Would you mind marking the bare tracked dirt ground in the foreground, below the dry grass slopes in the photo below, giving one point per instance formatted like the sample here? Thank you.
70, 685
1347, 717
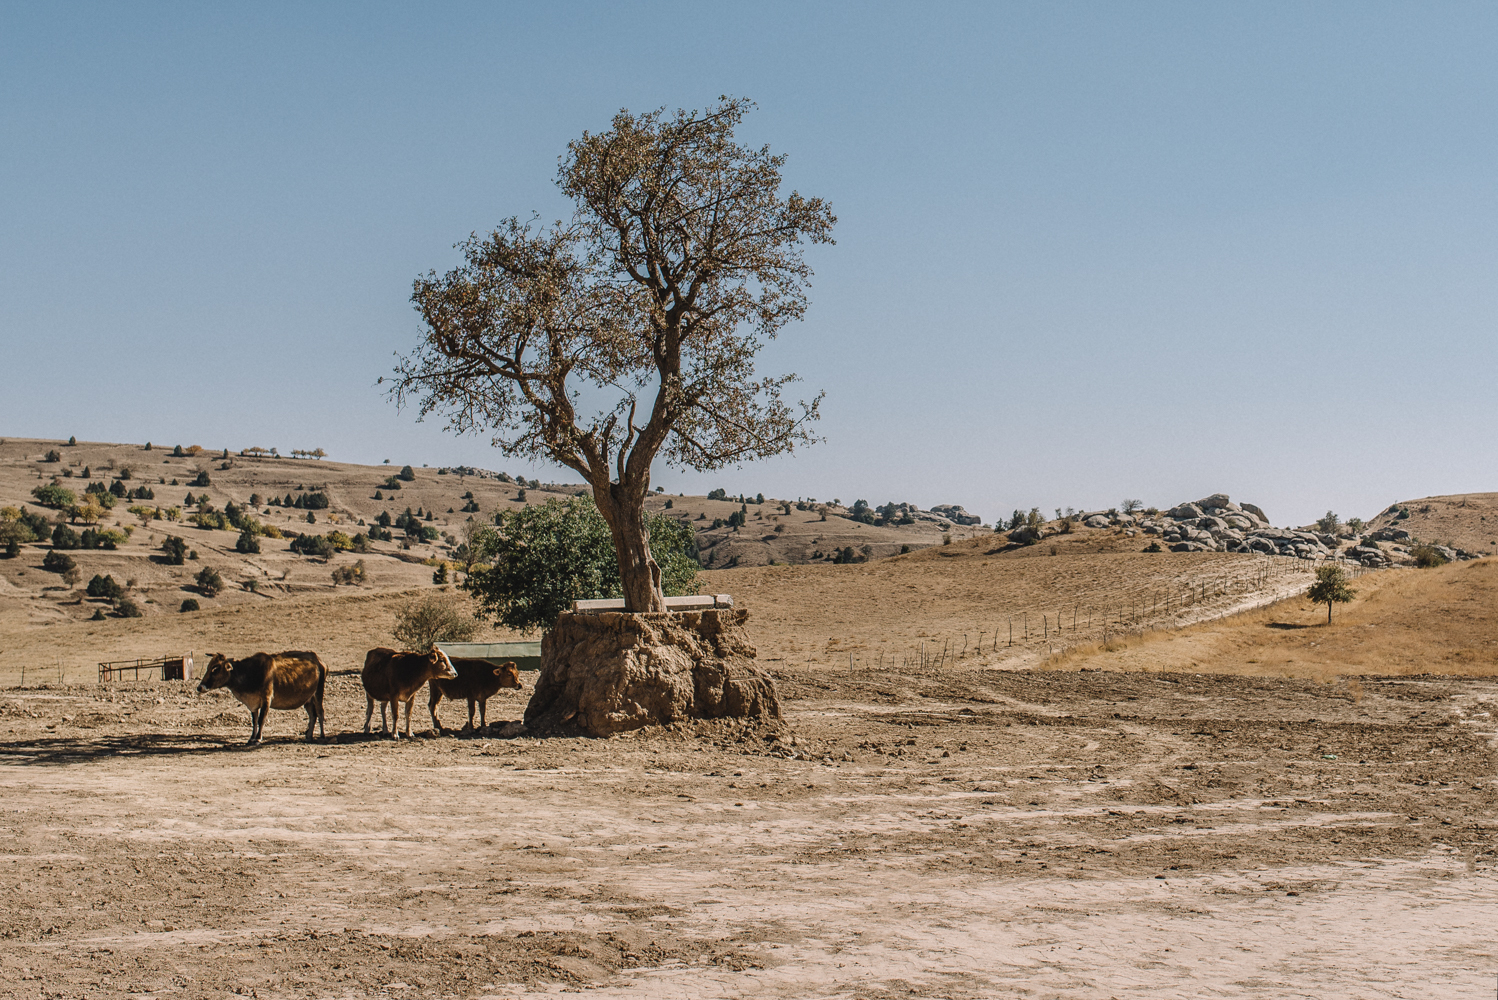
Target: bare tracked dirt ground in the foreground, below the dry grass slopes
973, 833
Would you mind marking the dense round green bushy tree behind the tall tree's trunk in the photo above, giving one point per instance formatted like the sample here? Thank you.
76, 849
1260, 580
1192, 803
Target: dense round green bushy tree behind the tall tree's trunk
545, 558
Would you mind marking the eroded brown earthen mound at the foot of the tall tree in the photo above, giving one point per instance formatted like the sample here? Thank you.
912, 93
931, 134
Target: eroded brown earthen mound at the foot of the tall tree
615, 673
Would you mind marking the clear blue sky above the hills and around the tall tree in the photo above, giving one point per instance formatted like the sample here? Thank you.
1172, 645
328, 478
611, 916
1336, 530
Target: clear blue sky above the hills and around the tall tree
1087, 252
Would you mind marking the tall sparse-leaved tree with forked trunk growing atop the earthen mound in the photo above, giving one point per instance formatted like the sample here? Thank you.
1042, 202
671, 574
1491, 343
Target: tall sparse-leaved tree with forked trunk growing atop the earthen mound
631, 330
